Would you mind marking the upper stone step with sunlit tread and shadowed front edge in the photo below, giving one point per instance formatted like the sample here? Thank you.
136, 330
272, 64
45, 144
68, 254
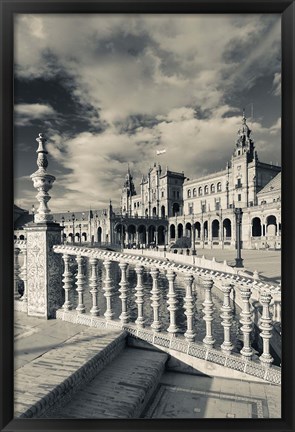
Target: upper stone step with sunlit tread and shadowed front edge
57, 374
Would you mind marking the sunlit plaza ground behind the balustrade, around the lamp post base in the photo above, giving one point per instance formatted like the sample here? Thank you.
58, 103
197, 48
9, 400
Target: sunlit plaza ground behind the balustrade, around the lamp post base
266, 262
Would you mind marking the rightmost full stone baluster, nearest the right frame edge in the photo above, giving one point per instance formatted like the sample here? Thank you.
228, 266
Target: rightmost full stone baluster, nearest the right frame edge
266, 327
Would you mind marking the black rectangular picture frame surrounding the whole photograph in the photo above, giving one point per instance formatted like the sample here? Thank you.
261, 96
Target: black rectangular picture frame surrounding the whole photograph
8, 9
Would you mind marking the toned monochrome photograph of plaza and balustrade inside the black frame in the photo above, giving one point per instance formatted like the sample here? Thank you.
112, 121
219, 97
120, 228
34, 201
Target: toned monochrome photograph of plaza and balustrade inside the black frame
147, 216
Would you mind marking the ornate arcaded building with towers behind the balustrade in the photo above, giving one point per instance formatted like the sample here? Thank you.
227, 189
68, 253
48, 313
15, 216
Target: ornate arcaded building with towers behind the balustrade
199, 213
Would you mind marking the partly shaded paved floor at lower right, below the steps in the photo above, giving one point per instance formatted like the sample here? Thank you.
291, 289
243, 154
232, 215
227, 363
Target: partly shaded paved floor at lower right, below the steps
191, 396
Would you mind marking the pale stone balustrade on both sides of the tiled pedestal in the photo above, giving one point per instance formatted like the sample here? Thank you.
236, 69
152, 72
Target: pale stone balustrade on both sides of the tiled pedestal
153, 329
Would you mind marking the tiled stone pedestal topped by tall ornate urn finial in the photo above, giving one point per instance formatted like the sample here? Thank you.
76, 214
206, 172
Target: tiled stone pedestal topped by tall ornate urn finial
44, 267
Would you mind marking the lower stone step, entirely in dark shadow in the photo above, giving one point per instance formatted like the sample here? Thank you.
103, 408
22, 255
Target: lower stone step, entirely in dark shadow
121, 390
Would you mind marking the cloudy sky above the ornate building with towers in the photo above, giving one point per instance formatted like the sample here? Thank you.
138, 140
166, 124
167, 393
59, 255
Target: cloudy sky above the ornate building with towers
108, 90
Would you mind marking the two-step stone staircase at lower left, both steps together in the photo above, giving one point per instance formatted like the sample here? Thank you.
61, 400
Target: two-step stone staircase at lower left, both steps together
90, 375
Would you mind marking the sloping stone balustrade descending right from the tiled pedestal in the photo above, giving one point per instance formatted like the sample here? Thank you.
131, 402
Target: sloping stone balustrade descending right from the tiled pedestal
155, 333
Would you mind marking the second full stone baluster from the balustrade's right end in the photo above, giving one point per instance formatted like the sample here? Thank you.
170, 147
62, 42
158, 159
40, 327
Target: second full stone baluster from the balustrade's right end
246, 321
